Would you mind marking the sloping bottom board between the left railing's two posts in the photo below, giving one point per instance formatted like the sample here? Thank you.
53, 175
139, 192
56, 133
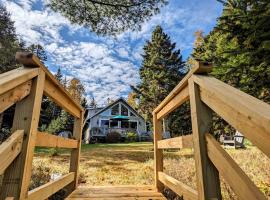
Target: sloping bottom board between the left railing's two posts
48, 189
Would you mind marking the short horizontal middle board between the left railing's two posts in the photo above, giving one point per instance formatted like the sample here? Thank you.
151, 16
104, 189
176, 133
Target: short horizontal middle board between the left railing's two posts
49, 140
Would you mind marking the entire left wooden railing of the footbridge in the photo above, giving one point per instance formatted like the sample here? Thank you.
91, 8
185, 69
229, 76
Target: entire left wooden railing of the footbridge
25, 87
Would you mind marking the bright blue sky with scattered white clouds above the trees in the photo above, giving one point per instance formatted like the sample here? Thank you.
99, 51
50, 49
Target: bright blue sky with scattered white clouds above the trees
107, 65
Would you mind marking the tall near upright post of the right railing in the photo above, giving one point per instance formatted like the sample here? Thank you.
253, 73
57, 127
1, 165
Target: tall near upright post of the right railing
208, 182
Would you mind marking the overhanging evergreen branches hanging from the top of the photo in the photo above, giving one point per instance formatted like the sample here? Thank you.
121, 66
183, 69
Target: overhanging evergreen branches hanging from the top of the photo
108, 16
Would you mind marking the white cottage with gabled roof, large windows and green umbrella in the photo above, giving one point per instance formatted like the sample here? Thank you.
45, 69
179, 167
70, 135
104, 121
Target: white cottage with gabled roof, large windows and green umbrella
119, 116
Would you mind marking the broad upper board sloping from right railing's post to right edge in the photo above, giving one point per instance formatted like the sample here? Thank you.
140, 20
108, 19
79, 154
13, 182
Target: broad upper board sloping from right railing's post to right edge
247, 114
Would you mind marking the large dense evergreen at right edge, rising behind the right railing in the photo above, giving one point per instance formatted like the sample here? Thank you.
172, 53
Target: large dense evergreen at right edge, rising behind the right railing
239, 46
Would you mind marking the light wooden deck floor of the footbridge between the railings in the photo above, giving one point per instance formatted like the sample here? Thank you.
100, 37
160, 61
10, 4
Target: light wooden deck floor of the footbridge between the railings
117, 192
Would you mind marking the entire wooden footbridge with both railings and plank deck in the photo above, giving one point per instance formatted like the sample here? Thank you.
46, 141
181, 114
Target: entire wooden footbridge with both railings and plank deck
26, 86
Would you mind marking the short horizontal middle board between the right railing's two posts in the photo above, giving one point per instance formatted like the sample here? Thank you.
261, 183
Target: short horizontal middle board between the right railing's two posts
180, 142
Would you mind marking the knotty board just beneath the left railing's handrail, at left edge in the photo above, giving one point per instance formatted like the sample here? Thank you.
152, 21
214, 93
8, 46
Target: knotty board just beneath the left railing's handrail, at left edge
14, 95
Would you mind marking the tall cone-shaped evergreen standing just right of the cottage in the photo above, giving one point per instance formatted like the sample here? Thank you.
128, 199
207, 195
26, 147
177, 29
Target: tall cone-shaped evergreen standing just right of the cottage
161, 71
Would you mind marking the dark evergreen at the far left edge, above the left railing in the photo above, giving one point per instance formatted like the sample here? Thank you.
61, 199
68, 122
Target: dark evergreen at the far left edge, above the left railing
9, 43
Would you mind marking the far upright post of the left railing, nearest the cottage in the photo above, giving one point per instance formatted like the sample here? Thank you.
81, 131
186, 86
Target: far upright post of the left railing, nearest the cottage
75, 153
